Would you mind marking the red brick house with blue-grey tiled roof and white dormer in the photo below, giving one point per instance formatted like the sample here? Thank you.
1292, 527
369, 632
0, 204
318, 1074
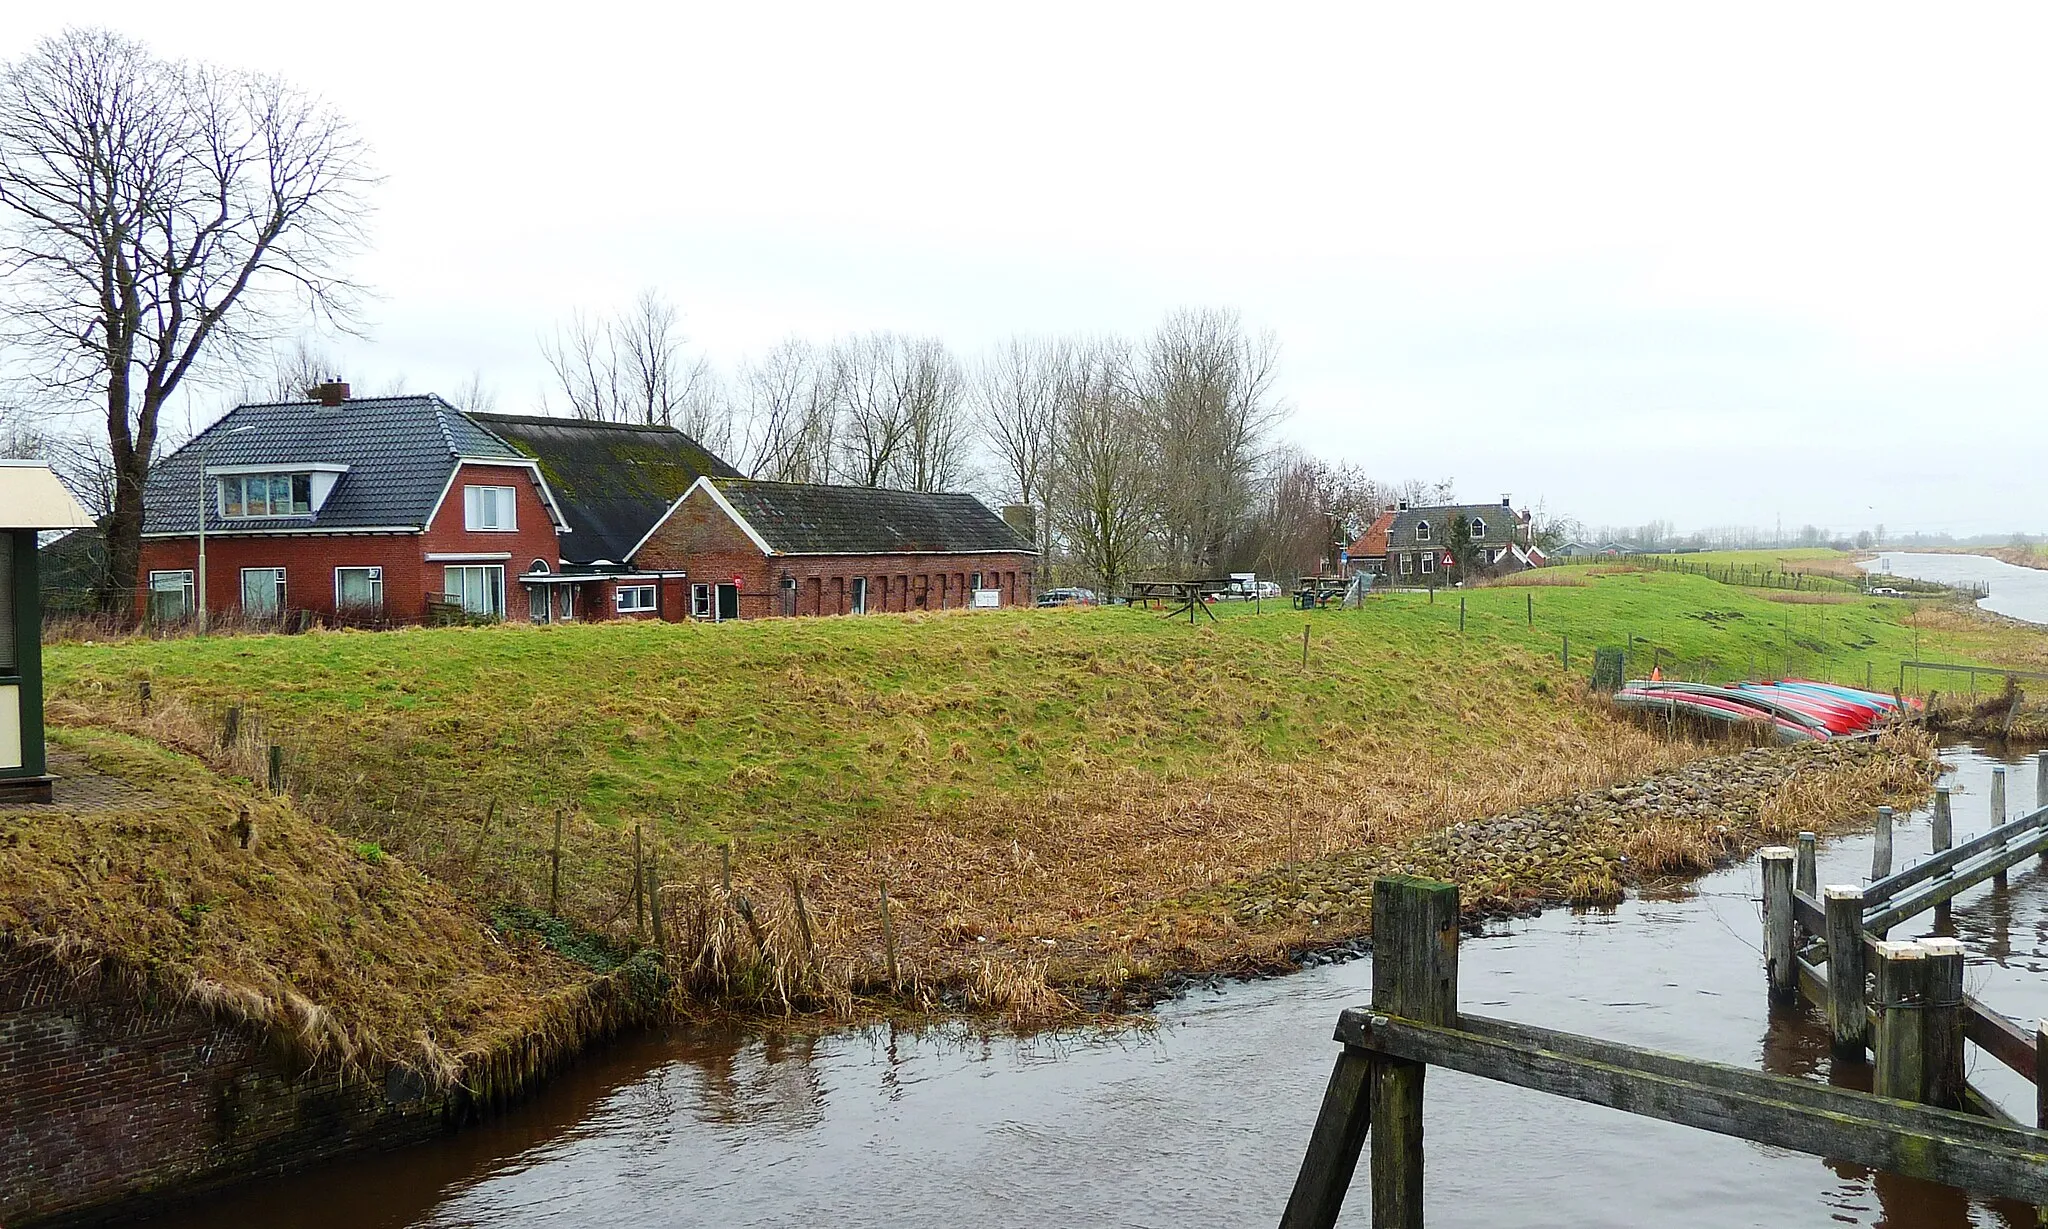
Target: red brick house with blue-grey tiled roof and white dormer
357, 509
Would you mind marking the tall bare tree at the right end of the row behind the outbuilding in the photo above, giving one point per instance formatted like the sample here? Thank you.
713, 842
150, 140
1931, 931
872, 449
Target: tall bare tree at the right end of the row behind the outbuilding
1209, 398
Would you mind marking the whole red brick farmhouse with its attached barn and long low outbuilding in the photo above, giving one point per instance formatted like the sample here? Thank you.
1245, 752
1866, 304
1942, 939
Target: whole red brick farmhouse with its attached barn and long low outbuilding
407, 509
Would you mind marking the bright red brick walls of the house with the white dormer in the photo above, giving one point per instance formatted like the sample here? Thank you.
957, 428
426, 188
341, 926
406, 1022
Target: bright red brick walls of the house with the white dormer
409, 577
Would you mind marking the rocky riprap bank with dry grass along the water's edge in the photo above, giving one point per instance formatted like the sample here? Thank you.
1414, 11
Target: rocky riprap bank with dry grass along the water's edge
1588, 847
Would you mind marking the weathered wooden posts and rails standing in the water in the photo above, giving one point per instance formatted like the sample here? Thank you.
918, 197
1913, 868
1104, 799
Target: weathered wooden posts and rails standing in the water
1920, 1025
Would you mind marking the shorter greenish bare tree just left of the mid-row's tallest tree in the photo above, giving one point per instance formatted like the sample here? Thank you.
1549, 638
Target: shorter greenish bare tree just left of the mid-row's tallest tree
1105, 480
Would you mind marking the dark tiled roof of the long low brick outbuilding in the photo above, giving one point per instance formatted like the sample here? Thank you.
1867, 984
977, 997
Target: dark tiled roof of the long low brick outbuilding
804, 519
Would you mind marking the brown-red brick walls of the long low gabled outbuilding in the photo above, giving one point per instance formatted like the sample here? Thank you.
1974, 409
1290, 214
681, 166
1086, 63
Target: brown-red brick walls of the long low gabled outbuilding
703, 542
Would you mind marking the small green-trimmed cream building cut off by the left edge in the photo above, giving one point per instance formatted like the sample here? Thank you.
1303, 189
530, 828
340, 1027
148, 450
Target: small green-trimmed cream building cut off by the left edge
32, 503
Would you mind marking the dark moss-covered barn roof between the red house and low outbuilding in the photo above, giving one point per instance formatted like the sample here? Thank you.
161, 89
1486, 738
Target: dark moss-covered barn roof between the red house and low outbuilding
613, 480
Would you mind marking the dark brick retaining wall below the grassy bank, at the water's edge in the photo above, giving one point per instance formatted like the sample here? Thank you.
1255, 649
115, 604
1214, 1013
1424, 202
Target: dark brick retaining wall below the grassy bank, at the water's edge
108, 1105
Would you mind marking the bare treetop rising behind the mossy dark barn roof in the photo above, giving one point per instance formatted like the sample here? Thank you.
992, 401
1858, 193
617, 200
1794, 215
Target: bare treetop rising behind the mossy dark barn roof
632, 368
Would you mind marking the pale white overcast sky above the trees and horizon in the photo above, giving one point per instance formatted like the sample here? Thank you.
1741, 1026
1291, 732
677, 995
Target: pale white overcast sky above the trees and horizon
1723, 269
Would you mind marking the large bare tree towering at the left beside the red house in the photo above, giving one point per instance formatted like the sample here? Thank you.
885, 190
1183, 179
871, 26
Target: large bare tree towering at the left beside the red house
159, 214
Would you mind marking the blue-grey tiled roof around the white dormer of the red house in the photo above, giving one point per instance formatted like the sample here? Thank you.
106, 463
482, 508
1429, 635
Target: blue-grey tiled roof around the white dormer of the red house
398, 454
